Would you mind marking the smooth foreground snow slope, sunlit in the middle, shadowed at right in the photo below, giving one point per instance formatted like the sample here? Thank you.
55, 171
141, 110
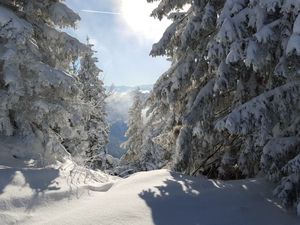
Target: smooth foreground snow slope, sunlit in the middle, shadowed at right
161, 198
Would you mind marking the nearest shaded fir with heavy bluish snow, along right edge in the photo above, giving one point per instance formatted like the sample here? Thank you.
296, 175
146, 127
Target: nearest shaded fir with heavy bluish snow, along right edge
259, 42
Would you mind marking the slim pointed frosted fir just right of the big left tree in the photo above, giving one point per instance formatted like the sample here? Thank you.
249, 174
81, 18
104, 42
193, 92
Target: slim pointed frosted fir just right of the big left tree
94, 98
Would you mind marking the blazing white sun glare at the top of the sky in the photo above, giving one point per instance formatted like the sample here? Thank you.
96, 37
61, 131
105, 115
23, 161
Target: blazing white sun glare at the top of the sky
136, 16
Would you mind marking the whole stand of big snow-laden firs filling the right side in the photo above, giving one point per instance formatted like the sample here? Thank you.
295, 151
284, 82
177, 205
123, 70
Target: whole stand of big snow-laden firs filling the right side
229, 105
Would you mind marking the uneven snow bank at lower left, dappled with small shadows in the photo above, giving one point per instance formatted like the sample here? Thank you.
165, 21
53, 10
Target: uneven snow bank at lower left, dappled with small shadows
25, 189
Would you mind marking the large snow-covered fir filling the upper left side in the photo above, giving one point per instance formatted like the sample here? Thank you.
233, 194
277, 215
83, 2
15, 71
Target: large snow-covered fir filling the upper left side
43, 113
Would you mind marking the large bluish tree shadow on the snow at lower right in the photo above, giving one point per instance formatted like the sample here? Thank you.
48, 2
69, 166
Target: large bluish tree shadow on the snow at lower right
184, 200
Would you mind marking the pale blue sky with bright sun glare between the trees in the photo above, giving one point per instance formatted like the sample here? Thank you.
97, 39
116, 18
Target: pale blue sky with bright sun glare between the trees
122, 40
